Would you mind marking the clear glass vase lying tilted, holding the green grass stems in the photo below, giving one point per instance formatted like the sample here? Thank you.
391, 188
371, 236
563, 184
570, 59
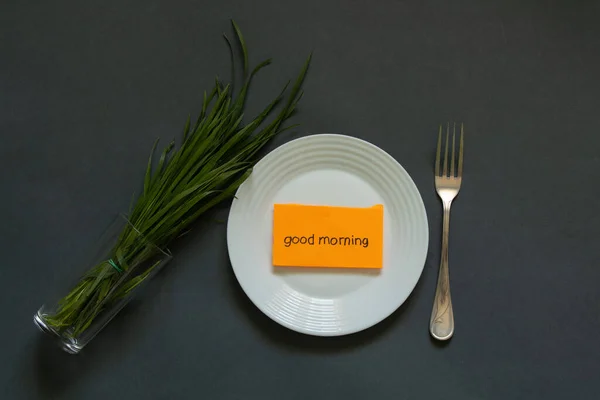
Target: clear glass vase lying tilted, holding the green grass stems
122, 262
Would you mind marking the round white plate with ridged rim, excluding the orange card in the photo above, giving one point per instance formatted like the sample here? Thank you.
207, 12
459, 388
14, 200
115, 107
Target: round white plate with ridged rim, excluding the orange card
328, 170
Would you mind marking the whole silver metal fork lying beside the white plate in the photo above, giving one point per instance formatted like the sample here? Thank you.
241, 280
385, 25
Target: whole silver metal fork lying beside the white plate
447, 185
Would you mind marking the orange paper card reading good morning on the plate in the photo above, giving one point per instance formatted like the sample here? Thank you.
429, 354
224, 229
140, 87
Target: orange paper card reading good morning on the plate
326, 236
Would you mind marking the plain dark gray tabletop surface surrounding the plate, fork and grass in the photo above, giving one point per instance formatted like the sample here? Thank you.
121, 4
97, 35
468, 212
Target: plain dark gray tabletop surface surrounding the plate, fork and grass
87, 86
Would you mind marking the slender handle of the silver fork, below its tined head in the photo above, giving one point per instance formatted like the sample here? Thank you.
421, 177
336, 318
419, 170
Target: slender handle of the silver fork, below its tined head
441, 325
